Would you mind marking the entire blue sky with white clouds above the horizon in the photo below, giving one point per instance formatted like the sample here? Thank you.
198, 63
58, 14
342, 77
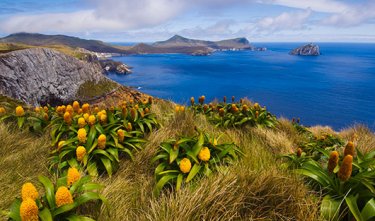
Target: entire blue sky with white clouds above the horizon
151, 20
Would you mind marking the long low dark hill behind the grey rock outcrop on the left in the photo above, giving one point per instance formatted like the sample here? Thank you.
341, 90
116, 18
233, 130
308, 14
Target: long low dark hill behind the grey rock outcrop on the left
74, 42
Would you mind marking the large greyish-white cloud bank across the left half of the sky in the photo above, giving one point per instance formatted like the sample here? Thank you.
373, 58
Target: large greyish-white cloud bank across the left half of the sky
109, 15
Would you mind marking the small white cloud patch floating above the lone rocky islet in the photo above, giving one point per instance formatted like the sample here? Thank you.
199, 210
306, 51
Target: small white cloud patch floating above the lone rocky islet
284, 21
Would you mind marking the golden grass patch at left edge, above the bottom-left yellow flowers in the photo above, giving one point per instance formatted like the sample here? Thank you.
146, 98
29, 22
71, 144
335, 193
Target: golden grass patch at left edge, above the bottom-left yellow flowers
23, 157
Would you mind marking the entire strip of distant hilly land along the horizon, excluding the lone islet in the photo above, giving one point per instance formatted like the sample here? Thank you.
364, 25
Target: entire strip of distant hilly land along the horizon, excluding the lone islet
176, 44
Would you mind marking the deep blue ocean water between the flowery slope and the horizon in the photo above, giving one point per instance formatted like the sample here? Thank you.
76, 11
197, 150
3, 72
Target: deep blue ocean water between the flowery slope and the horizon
336, 88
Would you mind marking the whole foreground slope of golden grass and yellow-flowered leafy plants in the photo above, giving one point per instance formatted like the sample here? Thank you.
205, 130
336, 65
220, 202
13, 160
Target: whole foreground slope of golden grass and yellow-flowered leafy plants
154, 160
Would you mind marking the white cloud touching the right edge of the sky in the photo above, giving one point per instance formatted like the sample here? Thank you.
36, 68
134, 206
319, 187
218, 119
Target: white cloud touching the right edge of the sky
352, 17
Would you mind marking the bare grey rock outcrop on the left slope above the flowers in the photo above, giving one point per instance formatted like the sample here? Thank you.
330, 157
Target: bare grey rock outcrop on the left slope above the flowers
40, 75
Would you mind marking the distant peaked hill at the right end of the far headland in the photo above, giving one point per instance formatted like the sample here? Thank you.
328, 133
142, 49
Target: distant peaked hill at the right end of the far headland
179, 41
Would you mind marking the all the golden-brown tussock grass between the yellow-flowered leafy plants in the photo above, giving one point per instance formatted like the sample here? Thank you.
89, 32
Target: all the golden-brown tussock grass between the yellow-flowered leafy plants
254, 188
